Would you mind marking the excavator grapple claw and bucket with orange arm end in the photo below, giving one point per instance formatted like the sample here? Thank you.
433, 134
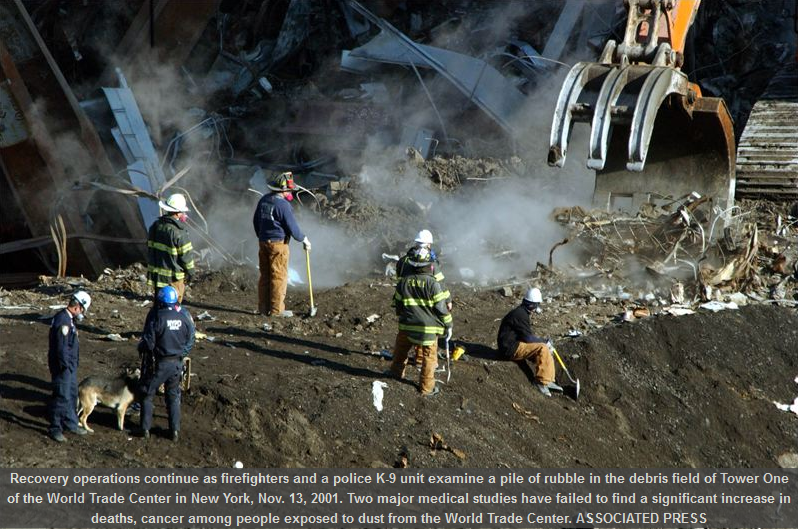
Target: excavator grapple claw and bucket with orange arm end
652, 135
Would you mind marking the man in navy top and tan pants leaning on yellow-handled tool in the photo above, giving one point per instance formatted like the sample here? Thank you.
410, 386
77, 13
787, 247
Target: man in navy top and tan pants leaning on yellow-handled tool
274, 225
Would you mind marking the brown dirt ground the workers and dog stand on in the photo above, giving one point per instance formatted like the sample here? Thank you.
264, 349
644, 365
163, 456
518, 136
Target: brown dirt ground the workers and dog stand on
694, 390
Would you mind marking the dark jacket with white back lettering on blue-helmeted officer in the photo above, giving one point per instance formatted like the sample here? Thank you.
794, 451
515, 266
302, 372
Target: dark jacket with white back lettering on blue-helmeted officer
168, 332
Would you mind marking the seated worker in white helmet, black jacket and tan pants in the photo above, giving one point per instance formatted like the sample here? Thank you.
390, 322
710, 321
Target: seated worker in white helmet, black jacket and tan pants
518, 343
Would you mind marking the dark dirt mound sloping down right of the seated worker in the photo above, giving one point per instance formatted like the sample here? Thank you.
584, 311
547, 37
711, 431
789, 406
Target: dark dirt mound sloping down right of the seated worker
700, 387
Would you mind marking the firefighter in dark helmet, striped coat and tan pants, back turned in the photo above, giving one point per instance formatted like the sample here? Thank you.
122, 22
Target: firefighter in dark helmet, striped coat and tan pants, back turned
420, 304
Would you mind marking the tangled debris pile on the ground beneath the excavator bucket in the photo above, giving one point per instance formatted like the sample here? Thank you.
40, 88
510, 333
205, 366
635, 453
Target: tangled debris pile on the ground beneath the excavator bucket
686, 256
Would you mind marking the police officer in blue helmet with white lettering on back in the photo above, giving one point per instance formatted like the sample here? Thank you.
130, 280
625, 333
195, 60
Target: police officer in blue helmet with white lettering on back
167, 338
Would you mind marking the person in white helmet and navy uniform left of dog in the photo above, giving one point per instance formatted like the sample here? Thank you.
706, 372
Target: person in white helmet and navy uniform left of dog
62, 359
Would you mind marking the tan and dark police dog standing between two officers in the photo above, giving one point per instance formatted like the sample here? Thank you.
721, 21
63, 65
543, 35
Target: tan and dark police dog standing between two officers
117, 393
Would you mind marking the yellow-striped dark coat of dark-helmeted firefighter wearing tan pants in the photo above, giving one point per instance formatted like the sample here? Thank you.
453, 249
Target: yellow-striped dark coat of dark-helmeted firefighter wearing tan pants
420, 304
